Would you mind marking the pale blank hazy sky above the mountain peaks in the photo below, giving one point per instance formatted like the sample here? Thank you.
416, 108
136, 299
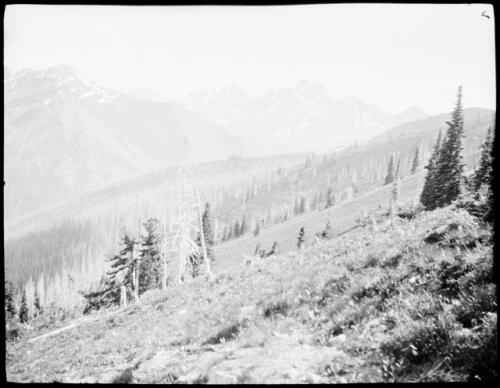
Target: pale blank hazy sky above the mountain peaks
393, 56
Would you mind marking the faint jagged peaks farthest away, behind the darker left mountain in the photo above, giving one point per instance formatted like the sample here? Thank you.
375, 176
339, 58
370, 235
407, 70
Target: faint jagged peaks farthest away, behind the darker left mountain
301, 118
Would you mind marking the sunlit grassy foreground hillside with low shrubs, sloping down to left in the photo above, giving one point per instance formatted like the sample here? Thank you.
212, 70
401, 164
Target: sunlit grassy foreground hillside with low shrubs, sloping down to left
365, 306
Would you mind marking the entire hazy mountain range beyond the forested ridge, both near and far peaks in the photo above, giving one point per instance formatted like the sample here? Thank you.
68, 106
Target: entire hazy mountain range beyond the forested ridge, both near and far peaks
66, 136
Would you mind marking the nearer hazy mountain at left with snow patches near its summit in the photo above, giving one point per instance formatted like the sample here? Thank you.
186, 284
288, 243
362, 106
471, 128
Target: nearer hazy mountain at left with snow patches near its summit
65, 136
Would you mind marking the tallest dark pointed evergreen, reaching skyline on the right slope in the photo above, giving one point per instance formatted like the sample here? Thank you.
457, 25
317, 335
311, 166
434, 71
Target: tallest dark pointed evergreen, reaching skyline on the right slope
450, 165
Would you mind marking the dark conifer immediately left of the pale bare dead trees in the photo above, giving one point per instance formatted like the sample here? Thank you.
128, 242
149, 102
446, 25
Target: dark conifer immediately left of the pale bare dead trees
150, 263
